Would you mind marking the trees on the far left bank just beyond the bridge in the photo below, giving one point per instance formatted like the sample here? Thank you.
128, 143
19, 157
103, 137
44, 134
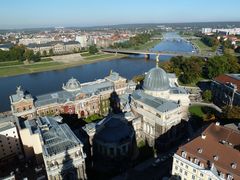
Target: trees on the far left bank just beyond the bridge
134, 41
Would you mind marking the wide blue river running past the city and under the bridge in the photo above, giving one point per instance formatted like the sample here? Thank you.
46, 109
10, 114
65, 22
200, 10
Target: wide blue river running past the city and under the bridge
50, 81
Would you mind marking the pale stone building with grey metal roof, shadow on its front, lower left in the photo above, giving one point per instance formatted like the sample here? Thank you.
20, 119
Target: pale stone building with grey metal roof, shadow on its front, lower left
55, 145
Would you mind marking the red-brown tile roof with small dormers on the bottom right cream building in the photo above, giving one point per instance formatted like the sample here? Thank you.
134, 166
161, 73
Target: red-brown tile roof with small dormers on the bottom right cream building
220, 142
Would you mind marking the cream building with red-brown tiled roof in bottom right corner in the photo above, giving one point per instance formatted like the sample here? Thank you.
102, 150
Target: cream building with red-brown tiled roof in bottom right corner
213, 155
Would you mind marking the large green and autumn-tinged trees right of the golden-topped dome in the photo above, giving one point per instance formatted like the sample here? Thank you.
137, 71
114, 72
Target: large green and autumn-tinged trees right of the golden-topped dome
190, 70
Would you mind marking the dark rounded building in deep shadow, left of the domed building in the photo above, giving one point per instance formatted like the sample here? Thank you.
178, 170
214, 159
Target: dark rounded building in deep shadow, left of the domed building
112, 143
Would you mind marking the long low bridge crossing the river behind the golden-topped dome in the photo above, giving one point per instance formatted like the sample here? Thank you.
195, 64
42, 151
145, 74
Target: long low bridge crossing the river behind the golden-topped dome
148, 53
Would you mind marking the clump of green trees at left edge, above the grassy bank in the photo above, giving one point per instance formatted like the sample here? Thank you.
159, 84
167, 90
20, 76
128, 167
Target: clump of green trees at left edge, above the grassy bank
20, 53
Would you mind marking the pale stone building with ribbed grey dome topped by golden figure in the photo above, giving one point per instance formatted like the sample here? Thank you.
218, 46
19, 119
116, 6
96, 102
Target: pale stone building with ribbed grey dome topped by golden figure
161, 105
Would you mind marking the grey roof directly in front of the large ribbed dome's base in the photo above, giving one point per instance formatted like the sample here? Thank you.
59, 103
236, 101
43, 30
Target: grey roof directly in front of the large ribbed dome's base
162, 105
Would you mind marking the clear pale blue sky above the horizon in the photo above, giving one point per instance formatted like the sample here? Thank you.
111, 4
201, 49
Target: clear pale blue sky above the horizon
51, 13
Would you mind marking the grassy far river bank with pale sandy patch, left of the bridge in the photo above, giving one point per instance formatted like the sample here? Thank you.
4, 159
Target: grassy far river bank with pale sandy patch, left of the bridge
63, 62
